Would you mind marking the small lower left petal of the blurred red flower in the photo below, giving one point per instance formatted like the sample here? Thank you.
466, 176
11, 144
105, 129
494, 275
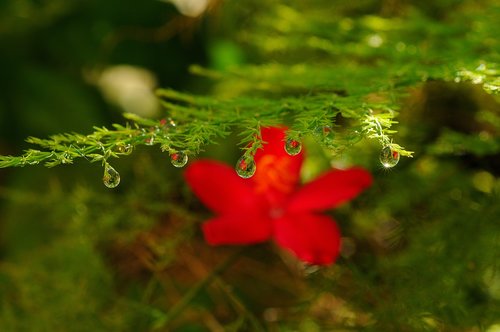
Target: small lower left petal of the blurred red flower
237, 229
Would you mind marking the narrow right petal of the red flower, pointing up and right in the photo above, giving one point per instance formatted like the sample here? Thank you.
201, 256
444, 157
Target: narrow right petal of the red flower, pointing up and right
330, 189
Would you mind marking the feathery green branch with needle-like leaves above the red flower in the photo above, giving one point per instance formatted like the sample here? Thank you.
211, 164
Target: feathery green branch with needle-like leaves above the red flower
365, 65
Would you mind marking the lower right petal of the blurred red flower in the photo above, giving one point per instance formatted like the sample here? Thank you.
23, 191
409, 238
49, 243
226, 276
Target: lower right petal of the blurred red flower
315, 239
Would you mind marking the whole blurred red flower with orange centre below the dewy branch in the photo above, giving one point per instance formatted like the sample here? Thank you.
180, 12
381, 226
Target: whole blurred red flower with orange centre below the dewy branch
271, 205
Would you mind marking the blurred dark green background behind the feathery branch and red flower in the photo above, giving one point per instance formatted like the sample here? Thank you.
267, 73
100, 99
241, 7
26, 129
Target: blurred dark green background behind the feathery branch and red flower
422, 245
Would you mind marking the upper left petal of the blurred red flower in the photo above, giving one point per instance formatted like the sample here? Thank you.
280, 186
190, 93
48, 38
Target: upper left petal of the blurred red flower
220, 188
